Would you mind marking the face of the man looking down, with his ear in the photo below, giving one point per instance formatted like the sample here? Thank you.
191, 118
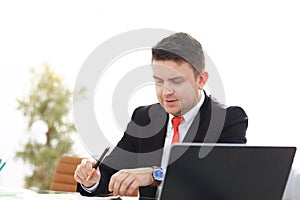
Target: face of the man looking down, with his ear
177, 88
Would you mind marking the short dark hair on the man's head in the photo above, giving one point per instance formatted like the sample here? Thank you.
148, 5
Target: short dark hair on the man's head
180, 47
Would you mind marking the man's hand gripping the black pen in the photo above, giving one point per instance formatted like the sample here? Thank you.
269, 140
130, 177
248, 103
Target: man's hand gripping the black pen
84, 169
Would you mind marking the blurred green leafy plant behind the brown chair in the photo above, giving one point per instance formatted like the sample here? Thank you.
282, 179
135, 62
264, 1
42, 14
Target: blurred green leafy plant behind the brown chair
48, 101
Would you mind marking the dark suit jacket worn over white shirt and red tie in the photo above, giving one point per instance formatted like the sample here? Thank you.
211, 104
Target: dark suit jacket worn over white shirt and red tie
143, 141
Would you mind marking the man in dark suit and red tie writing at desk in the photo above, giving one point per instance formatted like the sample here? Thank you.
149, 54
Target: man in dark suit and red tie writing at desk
185, 113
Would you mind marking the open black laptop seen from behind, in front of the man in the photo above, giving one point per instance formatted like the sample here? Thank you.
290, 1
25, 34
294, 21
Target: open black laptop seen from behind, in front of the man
227, 172
